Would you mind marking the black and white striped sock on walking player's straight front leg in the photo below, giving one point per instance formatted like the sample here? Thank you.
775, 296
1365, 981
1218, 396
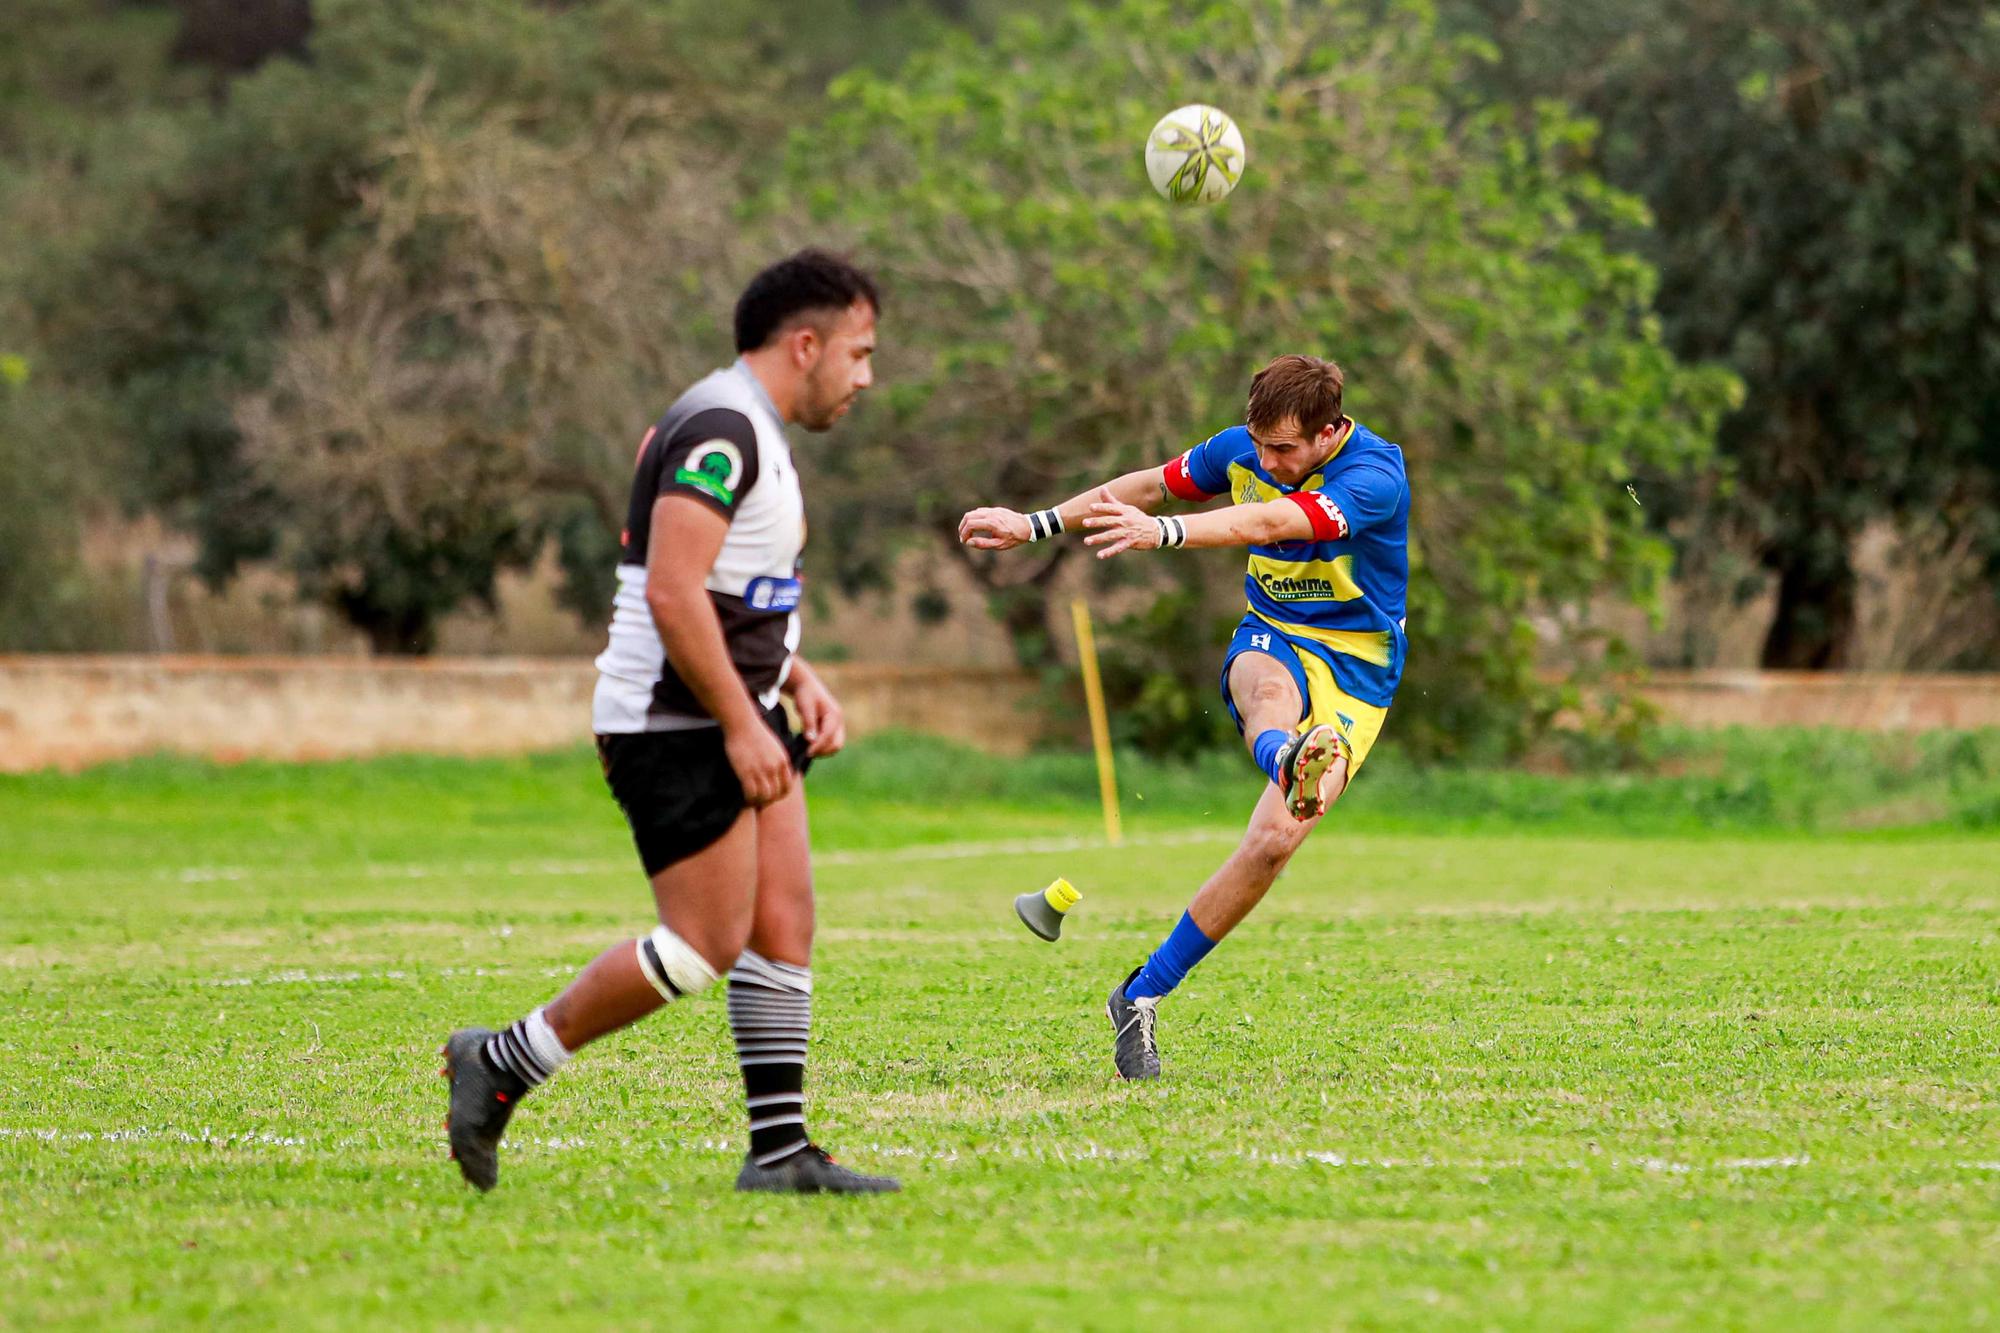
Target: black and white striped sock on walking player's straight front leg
771, 1012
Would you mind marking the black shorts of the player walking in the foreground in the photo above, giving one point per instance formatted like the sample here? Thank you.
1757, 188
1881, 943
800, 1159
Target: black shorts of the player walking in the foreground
679, 790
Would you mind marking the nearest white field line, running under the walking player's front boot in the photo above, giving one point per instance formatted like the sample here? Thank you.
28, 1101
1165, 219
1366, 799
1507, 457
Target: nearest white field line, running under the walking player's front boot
1057, 1154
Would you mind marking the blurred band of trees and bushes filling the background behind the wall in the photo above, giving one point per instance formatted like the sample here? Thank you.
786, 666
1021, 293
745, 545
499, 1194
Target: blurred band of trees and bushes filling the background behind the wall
1677, 309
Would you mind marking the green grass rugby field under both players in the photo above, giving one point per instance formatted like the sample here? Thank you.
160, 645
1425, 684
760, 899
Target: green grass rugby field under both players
1499, 1052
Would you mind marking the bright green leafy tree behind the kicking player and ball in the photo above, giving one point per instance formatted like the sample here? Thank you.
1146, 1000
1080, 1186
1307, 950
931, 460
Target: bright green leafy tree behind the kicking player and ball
1055, 323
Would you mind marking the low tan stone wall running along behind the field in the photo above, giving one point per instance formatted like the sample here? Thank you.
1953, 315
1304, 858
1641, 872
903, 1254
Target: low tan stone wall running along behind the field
73, 712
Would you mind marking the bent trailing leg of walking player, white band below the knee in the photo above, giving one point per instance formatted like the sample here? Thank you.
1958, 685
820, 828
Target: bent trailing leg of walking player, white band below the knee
705, 906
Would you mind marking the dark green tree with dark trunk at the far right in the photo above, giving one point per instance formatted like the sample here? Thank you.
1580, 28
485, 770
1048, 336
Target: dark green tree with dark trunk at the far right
1827, 183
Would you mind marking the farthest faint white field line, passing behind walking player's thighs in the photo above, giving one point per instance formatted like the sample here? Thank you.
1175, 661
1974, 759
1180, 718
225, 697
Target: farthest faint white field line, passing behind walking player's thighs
577, 870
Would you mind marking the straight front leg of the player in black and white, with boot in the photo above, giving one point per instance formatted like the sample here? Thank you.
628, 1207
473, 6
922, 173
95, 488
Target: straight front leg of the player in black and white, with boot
771, 1018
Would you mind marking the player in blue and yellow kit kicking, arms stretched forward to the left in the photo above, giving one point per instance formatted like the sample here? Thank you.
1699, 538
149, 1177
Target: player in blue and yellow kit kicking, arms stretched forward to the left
1323, 503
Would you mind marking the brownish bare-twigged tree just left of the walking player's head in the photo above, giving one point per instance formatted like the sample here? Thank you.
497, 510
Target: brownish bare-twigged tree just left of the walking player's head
477, 373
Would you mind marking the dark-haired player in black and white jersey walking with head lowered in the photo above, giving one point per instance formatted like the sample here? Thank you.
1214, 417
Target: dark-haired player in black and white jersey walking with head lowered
693, 738
